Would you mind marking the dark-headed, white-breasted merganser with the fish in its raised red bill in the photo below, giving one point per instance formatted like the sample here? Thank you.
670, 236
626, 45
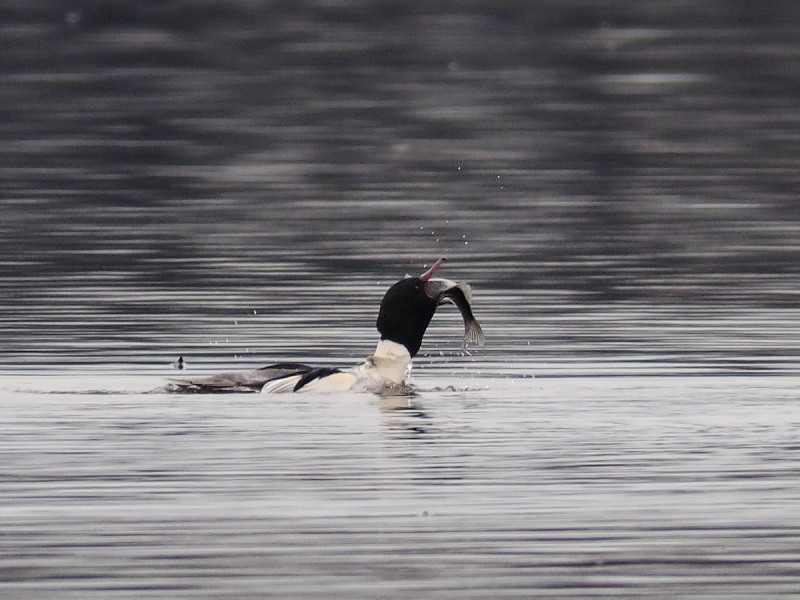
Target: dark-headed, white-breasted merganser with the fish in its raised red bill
406, 310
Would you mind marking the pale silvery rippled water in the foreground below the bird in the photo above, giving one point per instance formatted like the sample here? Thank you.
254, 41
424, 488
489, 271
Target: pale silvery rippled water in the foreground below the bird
565, 487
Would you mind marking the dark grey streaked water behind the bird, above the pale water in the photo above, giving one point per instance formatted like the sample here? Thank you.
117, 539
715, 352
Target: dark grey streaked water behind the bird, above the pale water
614, 179
